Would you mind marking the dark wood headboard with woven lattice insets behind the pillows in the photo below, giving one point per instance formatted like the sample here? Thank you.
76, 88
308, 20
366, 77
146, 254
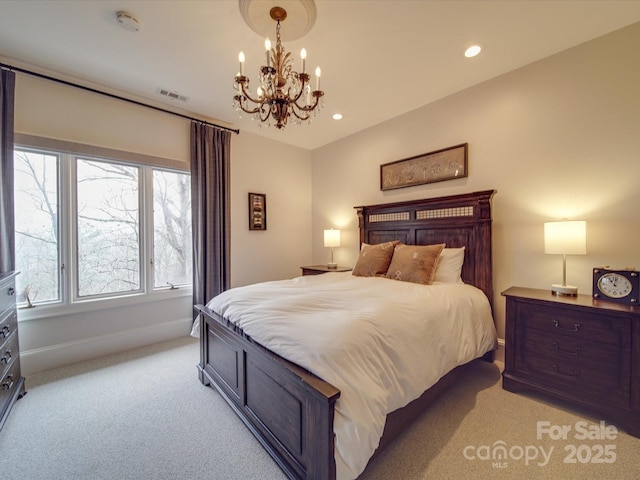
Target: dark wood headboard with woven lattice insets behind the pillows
458, 220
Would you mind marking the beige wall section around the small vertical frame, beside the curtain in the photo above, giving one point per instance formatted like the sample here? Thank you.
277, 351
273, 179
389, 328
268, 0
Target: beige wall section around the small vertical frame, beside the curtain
283, 173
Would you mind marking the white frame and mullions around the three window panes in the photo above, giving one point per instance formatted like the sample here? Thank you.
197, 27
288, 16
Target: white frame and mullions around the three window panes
68, 154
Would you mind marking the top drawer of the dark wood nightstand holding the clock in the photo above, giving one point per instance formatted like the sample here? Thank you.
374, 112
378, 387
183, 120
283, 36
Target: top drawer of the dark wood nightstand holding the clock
559, 321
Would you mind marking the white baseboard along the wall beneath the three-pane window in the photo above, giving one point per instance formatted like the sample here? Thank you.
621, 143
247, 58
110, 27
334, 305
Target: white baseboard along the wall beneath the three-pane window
59, 355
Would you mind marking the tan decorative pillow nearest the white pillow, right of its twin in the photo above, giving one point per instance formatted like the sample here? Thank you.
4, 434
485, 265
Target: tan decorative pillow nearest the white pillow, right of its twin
414, 263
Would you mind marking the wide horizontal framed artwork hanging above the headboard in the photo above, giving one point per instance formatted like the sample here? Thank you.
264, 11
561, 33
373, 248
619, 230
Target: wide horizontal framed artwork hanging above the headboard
437, 166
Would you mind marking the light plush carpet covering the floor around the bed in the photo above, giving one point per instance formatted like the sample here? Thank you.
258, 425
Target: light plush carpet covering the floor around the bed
143, 414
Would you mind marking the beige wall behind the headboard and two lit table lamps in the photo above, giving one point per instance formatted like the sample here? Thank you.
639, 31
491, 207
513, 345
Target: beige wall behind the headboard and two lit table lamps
559, 138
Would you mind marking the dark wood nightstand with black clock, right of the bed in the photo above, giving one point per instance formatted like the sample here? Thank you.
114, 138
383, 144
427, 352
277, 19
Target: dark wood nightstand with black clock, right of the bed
580, 350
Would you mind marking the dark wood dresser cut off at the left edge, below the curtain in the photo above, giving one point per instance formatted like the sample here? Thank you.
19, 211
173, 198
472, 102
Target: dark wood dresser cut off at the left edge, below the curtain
11, 381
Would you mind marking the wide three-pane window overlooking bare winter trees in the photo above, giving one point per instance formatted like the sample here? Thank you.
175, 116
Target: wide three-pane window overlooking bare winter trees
93, 228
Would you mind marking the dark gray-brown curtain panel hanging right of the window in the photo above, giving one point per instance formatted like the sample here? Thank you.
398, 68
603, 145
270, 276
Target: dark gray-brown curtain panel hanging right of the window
210, 204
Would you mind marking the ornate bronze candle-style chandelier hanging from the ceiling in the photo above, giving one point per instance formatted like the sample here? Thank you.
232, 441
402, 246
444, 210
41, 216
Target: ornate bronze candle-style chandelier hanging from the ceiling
282, 92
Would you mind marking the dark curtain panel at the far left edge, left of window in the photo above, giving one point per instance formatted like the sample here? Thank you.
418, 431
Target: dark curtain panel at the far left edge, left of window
7, 223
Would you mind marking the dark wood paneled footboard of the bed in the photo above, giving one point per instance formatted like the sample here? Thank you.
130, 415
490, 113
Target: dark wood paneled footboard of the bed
288, 409
